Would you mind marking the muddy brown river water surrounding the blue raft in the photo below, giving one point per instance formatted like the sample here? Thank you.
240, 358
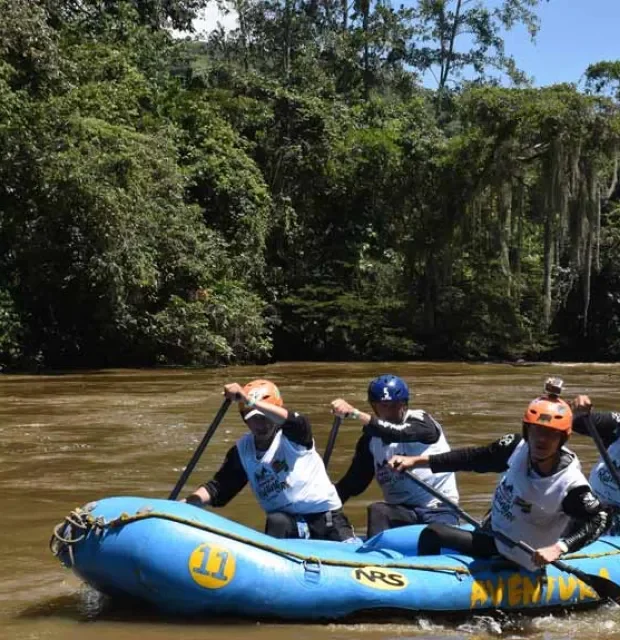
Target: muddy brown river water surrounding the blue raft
68, 439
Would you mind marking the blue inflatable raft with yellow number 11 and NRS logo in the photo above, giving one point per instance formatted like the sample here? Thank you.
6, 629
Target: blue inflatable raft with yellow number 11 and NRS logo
185, 560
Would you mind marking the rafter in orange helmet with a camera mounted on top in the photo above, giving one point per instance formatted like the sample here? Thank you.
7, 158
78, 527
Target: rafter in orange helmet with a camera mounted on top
542, 499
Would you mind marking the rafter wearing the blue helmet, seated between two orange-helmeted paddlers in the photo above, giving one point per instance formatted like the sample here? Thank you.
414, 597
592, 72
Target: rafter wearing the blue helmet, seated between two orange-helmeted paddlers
393, 429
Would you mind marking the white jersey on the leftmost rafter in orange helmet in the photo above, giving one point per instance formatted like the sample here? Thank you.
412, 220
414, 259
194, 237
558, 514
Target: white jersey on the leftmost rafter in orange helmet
288, 477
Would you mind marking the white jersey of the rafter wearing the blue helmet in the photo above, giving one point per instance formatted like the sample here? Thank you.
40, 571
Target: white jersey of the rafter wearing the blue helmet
399, 488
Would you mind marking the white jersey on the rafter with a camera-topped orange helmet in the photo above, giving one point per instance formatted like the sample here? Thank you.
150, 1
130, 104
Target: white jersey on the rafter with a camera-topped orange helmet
527, 507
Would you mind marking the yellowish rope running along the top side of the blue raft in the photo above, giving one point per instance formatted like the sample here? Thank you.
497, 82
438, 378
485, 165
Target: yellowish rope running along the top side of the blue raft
77, 525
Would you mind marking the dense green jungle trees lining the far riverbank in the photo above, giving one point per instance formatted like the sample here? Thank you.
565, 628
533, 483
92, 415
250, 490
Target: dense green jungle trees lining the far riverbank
291, 189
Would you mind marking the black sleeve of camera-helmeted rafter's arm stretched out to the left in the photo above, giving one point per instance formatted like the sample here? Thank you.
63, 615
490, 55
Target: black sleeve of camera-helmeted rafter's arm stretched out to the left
490, 458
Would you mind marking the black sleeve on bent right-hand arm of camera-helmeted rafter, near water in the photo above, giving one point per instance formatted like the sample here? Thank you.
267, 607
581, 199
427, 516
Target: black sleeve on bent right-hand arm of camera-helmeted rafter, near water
591, 519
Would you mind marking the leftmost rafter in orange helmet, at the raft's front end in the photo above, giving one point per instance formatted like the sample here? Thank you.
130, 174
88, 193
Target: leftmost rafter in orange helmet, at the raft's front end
279, 460
